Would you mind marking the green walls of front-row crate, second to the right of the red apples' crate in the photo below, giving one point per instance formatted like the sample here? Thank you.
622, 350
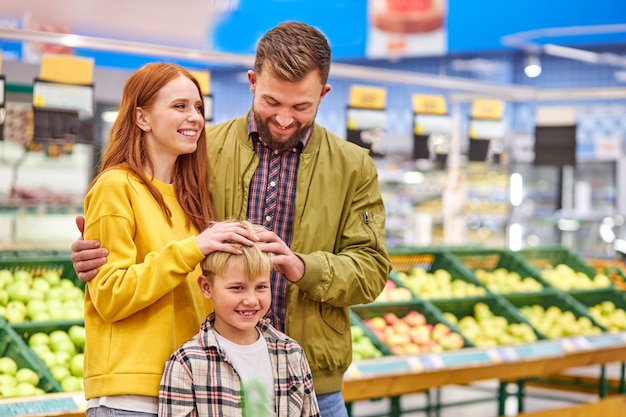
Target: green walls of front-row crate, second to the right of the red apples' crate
553, 297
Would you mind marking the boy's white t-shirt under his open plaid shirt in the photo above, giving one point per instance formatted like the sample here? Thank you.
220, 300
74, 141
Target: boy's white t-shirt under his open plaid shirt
252, 363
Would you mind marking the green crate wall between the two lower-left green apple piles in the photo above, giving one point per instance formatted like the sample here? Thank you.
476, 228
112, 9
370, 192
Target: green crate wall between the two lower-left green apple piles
14, 347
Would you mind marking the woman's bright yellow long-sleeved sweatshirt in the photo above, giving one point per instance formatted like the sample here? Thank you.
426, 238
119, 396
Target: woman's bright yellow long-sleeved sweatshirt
145, 301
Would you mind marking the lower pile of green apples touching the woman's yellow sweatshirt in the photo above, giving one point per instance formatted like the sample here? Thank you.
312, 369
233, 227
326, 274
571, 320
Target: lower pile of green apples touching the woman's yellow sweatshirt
62, 352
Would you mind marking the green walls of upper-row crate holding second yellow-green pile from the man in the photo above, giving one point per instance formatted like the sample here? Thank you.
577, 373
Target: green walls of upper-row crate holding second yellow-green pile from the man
492, 259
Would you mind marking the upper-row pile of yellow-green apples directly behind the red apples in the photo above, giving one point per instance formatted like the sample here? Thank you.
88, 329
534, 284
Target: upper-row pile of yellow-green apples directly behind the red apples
438, 284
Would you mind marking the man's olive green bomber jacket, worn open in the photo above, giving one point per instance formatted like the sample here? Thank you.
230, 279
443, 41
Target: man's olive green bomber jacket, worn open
339, 233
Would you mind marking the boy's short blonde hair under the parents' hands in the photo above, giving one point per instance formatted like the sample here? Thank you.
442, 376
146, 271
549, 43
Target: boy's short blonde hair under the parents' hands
254, 261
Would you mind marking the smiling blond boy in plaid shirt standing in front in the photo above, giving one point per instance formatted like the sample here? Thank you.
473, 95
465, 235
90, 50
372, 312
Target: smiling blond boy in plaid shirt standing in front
238, 364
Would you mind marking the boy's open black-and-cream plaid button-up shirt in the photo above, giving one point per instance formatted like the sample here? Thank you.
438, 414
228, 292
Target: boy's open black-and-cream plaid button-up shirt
199, 379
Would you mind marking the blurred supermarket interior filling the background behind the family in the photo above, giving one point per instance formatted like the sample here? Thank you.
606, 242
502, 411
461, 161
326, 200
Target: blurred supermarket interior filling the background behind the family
498, 132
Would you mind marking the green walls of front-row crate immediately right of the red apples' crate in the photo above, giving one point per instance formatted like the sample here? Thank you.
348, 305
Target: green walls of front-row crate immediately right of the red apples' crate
497, 305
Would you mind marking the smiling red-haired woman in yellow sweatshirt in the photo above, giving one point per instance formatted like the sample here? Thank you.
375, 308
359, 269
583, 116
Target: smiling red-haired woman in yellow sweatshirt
148, 204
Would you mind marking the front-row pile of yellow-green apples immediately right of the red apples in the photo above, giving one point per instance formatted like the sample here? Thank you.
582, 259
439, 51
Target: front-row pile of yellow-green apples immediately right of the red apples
485, 329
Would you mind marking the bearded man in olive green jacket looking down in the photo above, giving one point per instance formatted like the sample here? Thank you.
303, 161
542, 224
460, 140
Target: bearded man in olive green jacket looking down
318, 196
